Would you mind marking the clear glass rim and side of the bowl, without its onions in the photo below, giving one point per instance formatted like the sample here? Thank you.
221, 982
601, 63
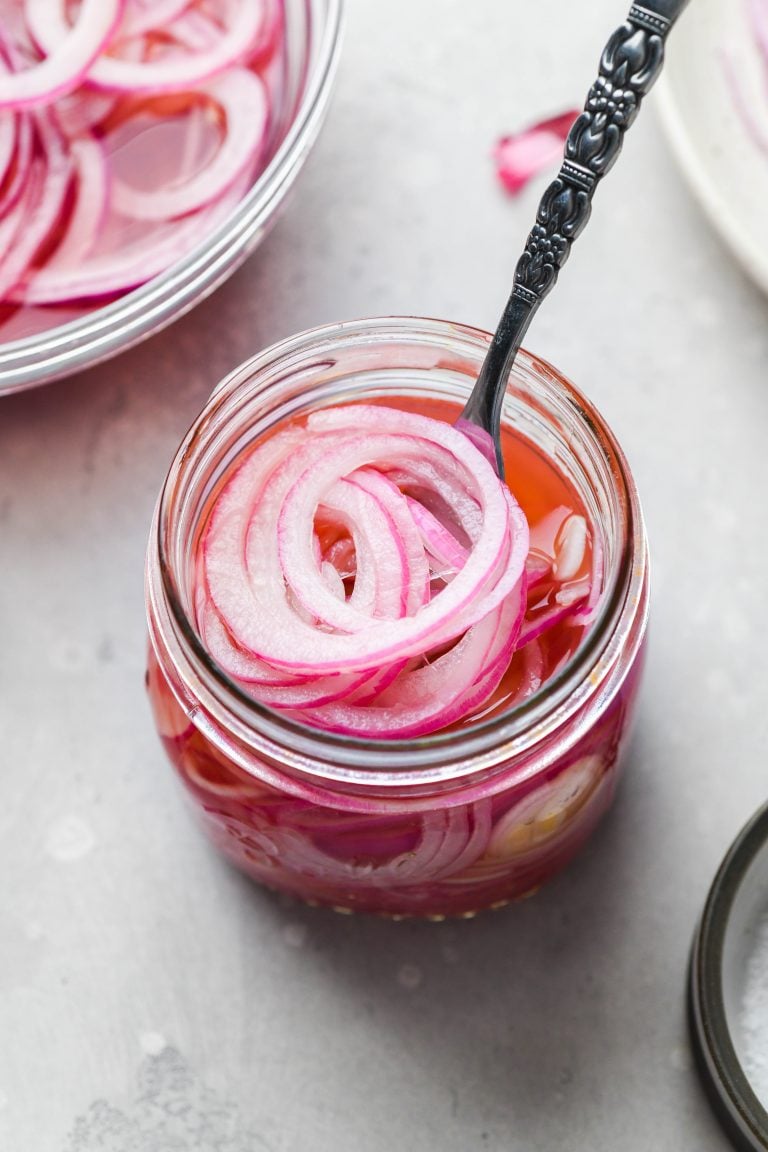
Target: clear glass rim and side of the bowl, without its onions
313, 48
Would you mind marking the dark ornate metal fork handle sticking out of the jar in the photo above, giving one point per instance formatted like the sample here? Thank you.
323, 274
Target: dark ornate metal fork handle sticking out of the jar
629, 66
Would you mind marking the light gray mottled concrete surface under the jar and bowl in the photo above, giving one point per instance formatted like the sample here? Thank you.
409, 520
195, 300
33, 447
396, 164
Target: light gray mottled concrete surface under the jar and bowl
150, 998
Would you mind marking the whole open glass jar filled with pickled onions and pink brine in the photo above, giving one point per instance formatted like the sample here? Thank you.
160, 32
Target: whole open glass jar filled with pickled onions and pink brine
389, 681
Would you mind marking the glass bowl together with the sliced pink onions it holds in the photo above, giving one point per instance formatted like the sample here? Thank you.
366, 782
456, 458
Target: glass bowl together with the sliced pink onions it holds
231, 96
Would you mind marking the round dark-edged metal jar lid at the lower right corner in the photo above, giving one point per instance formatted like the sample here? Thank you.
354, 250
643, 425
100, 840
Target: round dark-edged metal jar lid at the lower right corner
733, 927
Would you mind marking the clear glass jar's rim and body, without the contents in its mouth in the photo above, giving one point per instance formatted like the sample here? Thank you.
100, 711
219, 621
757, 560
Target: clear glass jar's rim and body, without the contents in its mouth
440, 825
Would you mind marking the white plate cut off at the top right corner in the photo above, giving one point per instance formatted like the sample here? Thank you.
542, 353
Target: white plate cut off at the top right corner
725, 166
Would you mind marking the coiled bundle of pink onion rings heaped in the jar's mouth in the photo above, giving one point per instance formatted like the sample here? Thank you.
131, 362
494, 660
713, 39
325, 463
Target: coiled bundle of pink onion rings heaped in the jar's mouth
323, 585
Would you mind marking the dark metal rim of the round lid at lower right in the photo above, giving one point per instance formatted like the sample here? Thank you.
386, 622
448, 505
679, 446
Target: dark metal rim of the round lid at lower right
729, 1090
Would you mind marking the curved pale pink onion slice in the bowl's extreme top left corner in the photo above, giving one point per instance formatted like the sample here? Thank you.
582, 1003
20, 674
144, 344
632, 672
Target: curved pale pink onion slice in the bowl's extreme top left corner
70, 59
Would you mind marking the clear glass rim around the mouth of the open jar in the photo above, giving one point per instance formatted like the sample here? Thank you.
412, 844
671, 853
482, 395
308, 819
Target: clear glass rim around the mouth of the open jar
331, 756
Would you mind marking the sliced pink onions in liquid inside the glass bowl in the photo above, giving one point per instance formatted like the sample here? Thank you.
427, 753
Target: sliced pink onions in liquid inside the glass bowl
80, 231
